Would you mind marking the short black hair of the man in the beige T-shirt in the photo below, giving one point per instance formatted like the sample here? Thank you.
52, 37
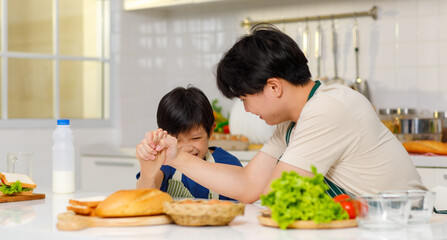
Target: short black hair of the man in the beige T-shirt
256, 57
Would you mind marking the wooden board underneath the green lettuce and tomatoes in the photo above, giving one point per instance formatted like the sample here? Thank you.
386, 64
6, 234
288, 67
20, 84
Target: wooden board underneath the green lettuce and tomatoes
267, 221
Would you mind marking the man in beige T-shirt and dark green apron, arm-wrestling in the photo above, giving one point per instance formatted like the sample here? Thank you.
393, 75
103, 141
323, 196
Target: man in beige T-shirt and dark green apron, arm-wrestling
331, 127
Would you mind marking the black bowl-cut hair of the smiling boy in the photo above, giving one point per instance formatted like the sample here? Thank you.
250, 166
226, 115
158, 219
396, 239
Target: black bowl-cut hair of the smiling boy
183, 109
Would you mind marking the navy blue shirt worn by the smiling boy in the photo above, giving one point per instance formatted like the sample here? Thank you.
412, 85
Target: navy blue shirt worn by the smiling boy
197, 190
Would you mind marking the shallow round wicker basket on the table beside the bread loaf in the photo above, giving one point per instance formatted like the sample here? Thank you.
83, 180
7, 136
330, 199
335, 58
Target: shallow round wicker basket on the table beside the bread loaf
202, 213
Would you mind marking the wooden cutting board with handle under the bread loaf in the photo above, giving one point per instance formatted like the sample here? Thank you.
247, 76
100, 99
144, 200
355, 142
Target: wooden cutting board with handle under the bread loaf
69, 221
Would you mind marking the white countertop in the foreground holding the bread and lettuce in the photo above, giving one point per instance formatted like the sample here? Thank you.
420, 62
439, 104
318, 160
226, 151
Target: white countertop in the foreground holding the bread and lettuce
37, 220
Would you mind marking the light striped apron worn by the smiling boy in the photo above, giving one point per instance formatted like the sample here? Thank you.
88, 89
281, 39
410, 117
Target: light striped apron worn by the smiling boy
177, 189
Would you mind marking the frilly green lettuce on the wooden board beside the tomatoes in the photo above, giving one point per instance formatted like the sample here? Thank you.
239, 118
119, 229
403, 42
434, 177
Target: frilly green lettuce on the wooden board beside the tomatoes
294, 197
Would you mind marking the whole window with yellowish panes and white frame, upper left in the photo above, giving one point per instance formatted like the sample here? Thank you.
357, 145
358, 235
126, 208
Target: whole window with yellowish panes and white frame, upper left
54, 60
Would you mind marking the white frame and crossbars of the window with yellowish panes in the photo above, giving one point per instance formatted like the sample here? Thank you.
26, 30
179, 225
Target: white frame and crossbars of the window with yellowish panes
109, 97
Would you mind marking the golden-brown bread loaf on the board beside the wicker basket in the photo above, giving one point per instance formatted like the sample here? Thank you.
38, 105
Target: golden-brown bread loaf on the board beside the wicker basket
129, 203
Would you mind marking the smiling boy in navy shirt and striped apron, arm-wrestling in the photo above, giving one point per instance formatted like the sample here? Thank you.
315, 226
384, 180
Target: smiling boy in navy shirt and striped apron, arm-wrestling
187, 115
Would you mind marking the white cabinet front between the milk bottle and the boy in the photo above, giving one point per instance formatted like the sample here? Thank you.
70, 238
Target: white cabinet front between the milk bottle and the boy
108, 173
